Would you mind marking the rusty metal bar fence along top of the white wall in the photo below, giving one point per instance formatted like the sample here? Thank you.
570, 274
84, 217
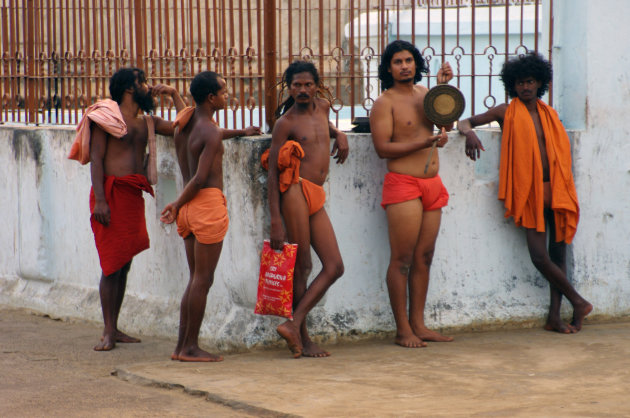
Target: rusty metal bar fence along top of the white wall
57, 56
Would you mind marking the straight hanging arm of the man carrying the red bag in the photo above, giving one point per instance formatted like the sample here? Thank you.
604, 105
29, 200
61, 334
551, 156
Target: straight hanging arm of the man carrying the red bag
279, 136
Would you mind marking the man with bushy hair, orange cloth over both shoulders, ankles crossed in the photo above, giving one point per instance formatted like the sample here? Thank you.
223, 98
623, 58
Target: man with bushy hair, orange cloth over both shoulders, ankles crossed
535, 178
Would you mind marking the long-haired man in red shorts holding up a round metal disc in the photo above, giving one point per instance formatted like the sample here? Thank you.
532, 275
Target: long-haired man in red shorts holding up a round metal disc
412, 196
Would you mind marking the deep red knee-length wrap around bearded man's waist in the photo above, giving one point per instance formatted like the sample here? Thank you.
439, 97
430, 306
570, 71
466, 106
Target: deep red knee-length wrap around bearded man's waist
126, 234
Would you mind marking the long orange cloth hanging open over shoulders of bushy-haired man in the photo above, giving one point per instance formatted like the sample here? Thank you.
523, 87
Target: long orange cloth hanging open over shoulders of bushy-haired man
521, 173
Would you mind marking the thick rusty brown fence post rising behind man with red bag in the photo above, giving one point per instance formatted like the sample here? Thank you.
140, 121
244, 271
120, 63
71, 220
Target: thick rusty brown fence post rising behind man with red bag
270, 62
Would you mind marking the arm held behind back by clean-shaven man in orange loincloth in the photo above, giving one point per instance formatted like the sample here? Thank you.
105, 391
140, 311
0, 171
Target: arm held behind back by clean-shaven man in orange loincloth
212, 141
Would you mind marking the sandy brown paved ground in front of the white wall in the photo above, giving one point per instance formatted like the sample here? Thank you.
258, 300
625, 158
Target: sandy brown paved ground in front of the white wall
49, 369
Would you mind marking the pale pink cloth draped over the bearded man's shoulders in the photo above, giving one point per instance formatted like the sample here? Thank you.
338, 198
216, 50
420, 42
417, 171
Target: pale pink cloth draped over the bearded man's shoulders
106, 114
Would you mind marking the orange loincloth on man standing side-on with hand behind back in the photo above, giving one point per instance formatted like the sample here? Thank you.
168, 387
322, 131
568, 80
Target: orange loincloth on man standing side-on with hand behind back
205, 216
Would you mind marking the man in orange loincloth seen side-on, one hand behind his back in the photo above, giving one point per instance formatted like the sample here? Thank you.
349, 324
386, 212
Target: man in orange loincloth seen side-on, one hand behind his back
201, 209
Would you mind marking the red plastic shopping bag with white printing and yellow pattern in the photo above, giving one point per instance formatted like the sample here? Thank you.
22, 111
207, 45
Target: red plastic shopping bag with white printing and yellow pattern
275, 281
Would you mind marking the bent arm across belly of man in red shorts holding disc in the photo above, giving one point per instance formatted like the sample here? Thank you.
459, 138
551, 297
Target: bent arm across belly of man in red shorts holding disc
382, 127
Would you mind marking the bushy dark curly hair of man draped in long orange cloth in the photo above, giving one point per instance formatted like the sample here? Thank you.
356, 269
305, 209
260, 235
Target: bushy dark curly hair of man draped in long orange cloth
529, 65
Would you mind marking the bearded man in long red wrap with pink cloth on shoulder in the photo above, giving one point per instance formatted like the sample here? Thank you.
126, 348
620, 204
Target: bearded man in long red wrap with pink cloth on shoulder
115, 143
